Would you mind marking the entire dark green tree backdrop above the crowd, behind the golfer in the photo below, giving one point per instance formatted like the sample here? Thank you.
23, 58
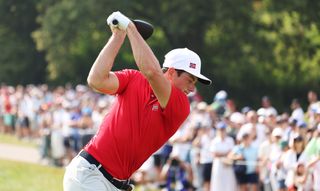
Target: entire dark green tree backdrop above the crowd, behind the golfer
249, 48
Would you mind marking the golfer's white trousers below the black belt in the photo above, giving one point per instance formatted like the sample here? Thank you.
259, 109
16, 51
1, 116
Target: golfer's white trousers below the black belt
80, 175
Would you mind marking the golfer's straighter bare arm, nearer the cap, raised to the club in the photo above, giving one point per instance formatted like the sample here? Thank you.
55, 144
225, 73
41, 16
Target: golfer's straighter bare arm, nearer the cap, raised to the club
149, 65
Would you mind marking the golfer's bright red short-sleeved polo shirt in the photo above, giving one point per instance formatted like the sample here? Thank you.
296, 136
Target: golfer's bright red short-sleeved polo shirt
136, 126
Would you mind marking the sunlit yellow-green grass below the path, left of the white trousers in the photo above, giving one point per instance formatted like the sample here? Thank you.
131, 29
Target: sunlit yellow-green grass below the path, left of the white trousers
17, 176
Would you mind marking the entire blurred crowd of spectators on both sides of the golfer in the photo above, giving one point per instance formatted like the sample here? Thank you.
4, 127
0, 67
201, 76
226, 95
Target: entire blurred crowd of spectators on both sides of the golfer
279, 151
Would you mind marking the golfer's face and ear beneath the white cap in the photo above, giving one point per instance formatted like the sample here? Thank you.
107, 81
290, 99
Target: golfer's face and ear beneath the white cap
185, 82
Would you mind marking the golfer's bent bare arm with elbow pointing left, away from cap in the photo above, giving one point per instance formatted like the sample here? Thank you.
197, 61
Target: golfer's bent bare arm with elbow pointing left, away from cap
100, 77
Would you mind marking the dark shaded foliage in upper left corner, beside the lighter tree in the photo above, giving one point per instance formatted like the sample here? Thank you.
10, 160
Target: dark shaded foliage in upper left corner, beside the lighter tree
20, 63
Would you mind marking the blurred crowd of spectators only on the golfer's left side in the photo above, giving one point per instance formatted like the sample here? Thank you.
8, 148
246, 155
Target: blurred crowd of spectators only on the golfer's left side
61, 120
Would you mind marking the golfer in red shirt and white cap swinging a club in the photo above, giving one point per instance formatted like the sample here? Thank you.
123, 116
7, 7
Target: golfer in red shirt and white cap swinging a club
150, 106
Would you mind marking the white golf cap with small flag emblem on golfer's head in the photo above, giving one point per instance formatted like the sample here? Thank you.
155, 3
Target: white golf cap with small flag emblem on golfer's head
186, 60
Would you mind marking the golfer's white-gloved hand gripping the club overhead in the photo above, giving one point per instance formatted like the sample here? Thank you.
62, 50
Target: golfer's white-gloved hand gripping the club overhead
118, 20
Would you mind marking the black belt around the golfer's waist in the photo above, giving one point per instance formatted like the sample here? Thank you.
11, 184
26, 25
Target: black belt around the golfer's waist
122, 185
